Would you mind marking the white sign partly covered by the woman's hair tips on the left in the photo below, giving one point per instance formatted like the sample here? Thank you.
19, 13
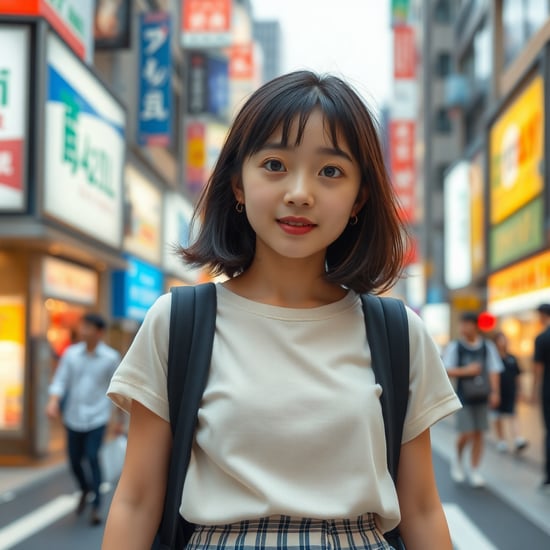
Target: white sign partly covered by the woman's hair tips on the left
177, 217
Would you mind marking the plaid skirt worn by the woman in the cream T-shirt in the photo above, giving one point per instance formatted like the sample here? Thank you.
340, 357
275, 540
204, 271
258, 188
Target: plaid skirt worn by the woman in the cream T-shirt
286, 533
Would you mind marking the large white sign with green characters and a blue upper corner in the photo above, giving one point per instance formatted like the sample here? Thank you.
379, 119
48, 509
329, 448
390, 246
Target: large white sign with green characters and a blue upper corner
84, 148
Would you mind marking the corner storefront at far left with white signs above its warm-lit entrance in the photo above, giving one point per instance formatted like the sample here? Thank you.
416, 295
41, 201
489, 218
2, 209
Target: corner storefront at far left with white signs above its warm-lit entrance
61, 226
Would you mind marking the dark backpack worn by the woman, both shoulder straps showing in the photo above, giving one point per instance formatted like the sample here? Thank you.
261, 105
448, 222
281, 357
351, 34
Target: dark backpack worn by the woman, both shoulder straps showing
192, 326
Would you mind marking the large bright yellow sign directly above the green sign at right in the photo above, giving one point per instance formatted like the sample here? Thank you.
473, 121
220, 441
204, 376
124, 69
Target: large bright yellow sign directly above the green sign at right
516, 152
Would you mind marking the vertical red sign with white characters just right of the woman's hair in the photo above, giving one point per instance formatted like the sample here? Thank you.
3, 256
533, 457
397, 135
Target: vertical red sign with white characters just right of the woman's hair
403, 170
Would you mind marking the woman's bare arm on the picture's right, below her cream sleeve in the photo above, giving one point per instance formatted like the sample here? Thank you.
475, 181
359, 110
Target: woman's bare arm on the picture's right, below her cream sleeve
423, 523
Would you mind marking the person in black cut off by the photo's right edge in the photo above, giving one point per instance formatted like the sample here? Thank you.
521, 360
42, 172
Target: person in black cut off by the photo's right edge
542, 384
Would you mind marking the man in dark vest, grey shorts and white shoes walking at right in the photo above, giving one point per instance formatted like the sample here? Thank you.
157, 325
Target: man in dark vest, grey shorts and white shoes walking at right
473, 362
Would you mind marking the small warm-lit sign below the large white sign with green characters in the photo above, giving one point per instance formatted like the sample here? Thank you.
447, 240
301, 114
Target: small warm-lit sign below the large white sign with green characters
68, 281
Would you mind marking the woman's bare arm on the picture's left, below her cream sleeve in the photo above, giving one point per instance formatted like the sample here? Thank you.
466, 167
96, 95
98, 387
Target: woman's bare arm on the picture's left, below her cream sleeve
138, 501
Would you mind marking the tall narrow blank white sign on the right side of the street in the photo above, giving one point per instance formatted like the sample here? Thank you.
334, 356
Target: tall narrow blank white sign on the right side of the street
458, 248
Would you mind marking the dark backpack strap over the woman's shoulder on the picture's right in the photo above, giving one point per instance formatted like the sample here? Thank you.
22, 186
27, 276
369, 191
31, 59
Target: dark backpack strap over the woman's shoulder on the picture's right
388, 336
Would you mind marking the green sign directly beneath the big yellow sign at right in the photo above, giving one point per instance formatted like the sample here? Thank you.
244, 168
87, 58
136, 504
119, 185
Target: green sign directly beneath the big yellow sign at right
517, 236
